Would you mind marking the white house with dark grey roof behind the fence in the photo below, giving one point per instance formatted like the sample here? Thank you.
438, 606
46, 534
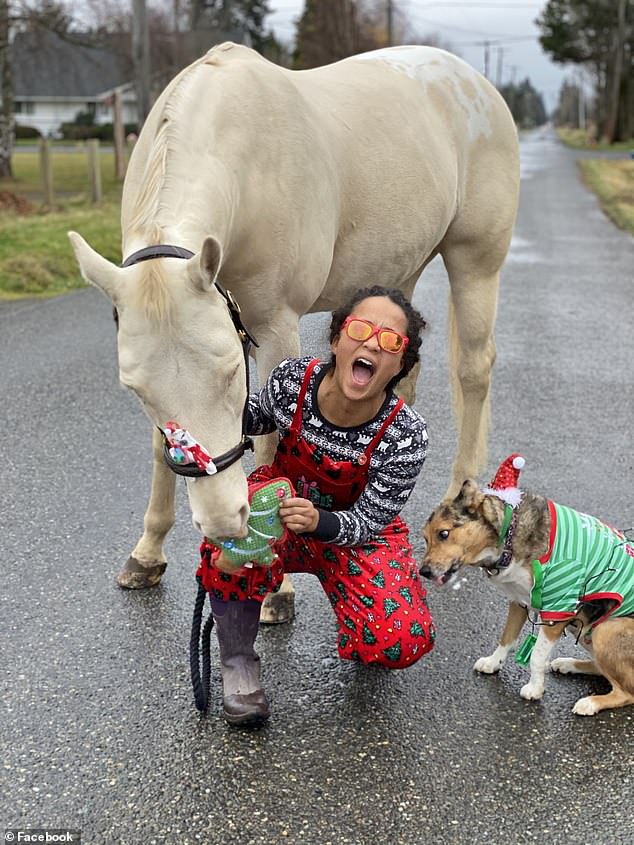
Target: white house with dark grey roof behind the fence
57, 78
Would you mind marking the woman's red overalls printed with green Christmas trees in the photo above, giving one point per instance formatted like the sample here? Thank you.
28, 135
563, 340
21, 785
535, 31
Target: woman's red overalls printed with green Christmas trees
374, 589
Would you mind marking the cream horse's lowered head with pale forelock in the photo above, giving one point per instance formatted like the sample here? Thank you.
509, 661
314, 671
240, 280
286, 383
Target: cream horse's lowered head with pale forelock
180, 353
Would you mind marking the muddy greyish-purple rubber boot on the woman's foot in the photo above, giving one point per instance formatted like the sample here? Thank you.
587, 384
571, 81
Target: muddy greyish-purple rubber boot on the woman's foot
244, 701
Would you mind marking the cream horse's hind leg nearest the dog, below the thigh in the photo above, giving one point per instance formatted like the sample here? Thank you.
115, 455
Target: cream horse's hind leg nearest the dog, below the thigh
474, 280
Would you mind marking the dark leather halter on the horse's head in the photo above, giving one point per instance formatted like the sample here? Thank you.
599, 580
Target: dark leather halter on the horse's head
246, 339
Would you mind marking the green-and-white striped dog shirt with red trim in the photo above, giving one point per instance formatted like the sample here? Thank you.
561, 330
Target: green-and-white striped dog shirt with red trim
587, 560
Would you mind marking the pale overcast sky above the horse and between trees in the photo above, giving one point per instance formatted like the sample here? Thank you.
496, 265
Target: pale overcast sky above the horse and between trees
463, 27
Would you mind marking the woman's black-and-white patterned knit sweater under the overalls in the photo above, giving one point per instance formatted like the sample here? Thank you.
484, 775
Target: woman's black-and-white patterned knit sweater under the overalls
393, 468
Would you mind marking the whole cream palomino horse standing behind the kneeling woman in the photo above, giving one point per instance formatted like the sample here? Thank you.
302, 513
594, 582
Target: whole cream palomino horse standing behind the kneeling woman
293, 189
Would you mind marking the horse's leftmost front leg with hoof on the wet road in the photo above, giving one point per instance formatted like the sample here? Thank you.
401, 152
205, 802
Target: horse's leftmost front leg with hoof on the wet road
147, 562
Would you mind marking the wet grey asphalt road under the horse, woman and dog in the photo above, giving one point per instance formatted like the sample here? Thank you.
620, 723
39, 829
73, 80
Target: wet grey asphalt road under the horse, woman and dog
98, 729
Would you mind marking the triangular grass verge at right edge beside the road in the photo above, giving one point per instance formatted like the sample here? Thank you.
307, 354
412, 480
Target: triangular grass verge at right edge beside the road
612, 180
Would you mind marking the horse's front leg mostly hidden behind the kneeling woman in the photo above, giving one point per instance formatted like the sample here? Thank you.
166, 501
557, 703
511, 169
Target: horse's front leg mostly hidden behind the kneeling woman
281, 342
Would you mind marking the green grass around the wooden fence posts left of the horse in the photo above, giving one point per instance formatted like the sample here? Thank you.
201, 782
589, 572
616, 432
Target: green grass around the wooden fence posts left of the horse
35, 254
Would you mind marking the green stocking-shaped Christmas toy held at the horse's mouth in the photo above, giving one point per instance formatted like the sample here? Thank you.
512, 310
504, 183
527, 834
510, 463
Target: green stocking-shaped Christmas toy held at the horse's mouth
264, 525
